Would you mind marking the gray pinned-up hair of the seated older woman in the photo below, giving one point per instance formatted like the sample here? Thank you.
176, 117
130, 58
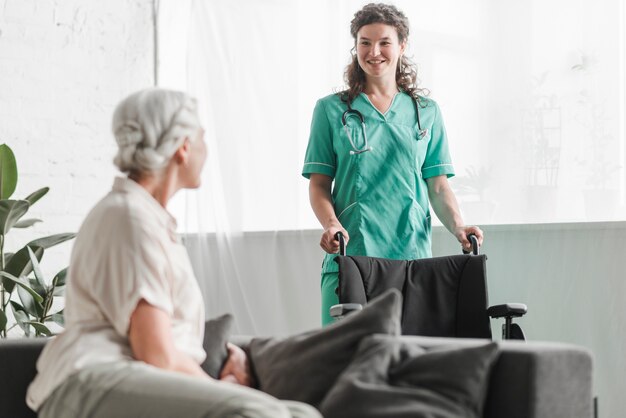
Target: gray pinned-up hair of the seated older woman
150, 125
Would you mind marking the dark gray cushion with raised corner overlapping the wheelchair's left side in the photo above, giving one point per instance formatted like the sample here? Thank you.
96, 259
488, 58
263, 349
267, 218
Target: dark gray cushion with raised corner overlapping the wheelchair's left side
305, 366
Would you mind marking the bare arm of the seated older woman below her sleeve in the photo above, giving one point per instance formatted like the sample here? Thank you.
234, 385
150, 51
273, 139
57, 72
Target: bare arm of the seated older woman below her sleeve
151, 341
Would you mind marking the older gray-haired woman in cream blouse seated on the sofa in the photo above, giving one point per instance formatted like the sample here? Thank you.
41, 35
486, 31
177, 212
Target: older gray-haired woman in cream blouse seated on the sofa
134, 314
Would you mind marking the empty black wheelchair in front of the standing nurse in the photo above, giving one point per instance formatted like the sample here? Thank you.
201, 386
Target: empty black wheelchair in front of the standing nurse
442, 296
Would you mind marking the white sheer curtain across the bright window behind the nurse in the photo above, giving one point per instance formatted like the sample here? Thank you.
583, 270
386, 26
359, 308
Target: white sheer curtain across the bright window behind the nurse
532, 94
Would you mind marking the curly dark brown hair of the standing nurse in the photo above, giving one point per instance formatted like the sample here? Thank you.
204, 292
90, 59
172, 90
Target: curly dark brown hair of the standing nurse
406, 74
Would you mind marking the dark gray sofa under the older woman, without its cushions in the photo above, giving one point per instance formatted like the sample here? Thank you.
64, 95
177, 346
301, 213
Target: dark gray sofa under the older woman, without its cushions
528, 380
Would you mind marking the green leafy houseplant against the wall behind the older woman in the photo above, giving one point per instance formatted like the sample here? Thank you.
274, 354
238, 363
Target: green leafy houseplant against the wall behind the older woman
23, 289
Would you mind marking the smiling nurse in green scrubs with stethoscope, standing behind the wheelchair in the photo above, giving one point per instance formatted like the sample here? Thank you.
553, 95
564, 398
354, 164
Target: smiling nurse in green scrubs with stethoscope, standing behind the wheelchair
384, 145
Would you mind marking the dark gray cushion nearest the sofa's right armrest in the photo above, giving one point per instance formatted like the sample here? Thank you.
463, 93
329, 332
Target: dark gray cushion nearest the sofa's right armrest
390, 377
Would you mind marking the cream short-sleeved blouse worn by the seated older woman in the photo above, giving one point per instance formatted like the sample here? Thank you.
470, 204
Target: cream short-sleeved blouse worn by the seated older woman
126, 250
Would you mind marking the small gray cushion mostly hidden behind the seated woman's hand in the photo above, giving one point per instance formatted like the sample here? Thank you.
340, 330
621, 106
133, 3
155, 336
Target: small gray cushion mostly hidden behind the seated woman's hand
216, 335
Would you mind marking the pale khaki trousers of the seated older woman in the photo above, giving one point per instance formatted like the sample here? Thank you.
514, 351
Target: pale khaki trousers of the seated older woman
132, 389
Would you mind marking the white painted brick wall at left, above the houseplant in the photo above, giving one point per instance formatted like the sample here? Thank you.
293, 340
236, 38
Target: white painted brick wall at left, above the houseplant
64, 65
